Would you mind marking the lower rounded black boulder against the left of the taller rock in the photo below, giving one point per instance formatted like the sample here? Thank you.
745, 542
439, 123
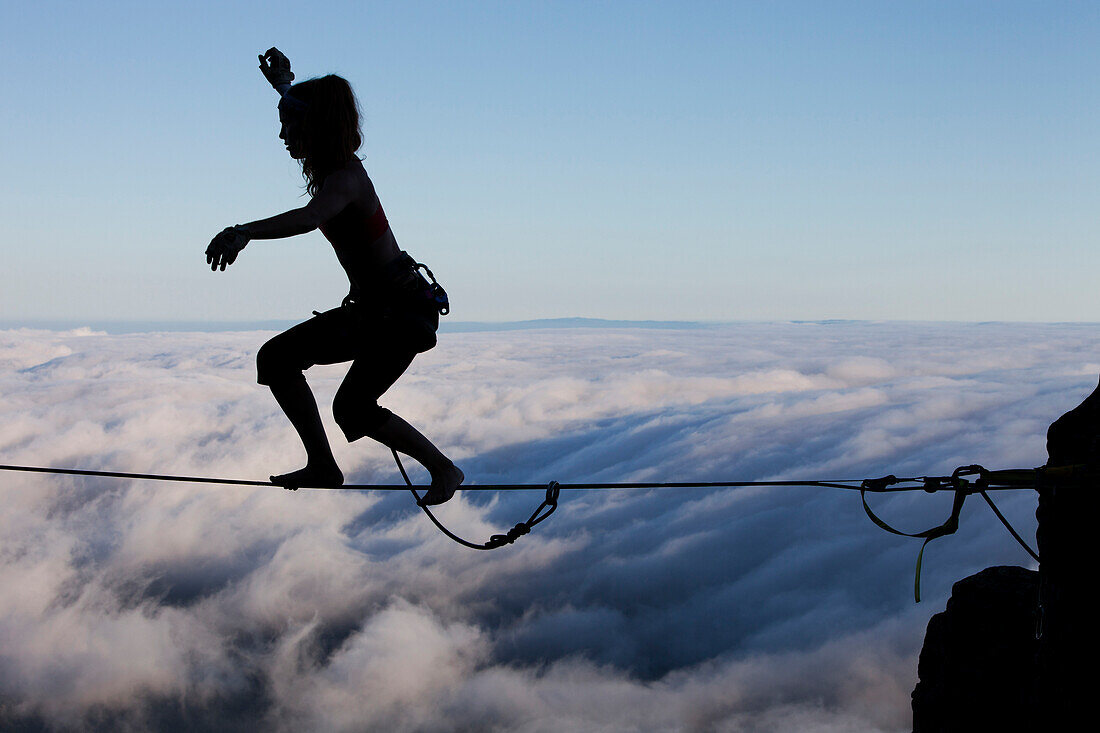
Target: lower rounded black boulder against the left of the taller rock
978, 665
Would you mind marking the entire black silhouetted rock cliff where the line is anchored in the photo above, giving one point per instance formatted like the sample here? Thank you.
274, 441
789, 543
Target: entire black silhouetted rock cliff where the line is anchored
983, 668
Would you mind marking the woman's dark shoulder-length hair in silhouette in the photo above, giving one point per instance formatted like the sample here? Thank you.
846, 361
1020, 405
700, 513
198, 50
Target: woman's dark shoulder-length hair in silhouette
328, 128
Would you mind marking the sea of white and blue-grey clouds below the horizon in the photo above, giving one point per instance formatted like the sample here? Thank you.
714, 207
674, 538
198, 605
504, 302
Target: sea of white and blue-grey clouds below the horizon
139, 606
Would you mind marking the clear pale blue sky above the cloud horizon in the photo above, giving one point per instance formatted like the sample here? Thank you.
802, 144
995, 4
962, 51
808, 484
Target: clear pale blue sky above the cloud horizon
620, 160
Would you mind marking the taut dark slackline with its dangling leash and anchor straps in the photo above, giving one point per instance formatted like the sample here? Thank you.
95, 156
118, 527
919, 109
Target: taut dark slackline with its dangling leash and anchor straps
964, 482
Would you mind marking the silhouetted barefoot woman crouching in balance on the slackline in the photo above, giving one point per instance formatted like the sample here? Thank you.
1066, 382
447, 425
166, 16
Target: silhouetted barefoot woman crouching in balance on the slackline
391, 313
